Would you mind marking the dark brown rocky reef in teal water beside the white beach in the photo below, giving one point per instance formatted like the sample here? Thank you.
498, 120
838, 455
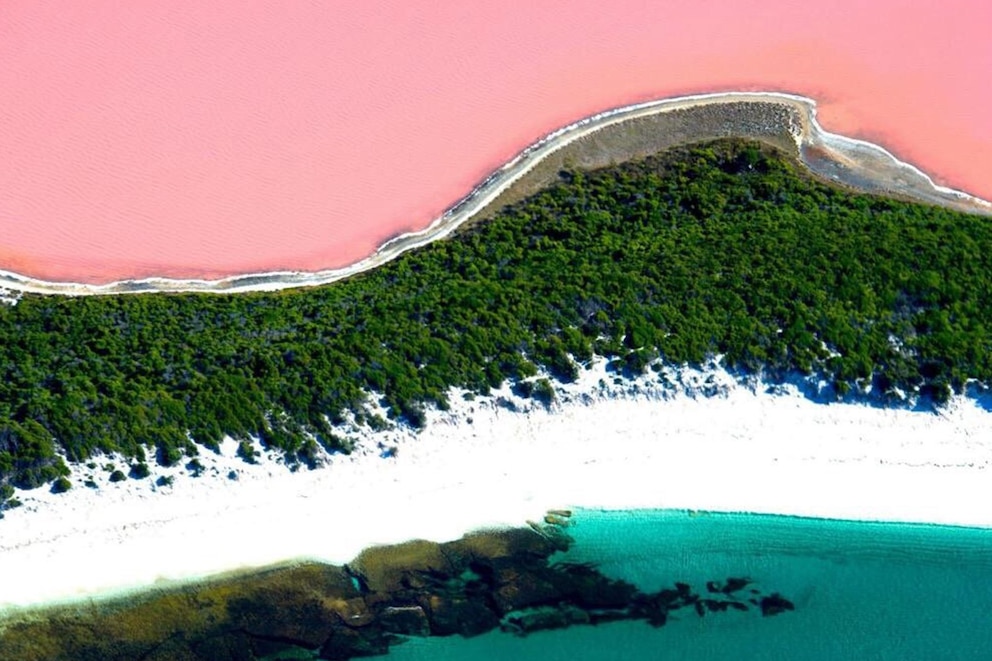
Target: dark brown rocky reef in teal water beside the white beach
507, 579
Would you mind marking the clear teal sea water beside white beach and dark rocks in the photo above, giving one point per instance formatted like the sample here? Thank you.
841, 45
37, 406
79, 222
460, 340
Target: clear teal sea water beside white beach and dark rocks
862, 591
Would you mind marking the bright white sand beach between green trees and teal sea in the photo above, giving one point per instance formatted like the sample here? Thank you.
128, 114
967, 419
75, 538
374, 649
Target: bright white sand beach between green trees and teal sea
707, 442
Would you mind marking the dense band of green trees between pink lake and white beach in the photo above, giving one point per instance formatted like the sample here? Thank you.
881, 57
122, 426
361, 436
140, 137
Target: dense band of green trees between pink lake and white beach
724, 248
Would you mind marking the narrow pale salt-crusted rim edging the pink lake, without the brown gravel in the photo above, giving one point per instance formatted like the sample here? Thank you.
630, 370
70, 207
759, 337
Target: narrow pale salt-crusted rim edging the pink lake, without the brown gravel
845, 161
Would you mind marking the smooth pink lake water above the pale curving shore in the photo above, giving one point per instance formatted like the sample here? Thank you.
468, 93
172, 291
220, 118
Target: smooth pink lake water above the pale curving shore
212, 138
